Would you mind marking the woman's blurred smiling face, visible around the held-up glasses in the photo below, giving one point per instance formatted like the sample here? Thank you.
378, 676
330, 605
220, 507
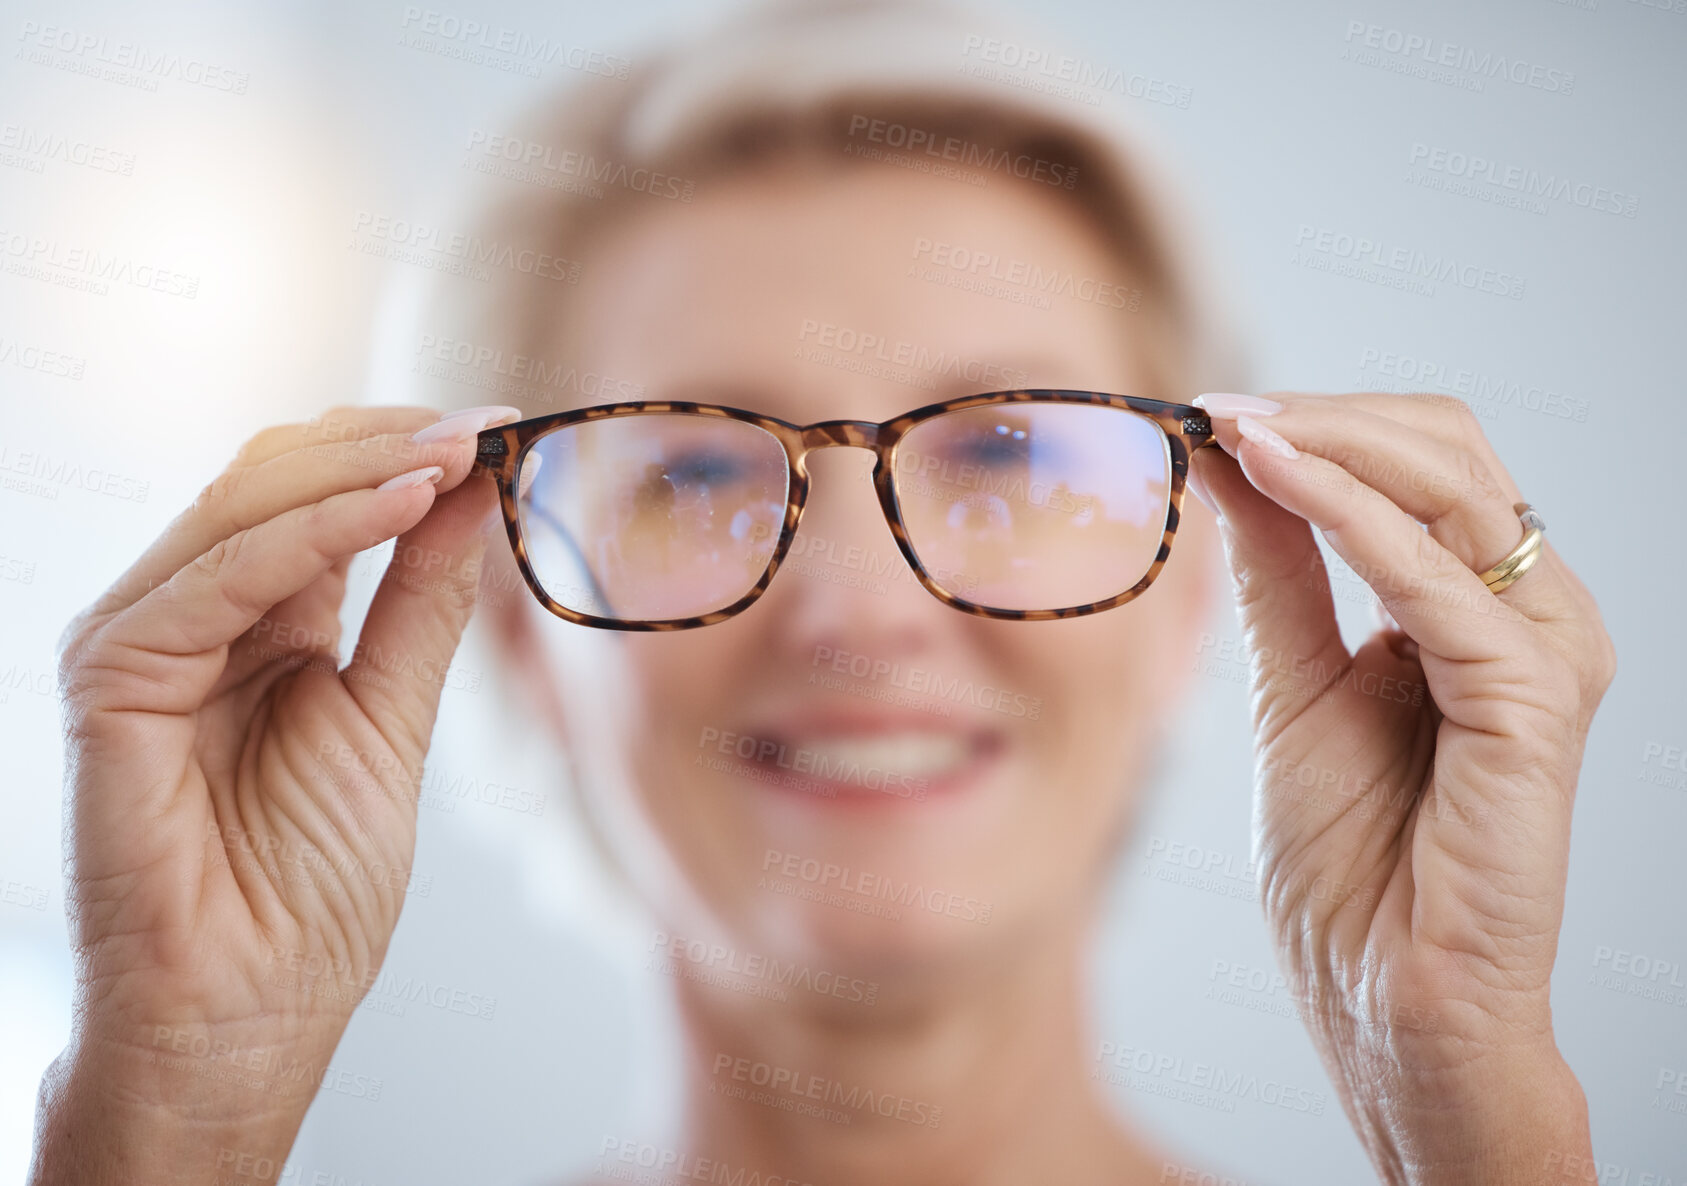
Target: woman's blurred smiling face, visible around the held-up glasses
994, 763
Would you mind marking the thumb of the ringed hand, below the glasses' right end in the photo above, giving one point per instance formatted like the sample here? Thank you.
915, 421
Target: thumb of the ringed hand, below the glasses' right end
1283, 595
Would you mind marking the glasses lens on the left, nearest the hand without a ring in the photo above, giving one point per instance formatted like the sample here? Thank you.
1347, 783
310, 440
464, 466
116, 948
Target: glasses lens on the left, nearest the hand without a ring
652, 517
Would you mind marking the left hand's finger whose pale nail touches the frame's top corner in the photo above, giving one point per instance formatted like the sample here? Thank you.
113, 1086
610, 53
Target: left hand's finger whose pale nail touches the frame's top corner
249, 495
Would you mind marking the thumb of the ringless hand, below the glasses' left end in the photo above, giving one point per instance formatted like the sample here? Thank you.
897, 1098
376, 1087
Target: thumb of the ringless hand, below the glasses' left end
404, 654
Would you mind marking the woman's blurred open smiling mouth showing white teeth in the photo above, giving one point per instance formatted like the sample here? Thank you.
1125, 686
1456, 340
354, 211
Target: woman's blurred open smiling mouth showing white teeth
887, 765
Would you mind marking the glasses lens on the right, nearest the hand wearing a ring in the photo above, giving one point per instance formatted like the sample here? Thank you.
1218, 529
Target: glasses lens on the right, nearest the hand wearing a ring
1035, 505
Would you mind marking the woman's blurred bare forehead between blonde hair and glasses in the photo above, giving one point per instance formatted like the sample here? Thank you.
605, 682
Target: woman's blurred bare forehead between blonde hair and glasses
854, 293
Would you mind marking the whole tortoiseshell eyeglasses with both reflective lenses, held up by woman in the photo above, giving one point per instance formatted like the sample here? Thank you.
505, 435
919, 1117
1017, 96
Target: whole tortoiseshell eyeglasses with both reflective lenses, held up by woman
1011, 505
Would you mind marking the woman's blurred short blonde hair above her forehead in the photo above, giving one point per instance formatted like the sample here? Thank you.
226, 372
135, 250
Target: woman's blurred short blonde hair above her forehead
785, 80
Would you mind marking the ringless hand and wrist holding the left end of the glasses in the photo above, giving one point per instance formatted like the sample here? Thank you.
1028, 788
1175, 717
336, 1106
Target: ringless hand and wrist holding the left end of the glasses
242, 811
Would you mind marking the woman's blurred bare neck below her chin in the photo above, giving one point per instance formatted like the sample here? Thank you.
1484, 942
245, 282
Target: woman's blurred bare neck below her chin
984, 1082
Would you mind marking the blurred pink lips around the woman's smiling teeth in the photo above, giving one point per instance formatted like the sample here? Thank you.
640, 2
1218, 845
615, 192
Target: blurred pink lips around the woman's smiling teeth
789, 768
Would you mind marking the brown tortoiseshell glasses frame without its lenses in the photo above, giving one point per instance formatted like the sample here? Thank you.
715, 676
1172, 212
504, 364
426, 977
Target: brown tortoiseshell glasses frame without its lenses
500, 453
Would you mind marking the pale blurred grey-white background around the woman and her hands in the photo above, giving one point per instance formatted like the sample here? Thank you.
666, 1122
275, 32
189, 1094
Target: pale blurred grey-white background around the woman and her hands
247, 183
